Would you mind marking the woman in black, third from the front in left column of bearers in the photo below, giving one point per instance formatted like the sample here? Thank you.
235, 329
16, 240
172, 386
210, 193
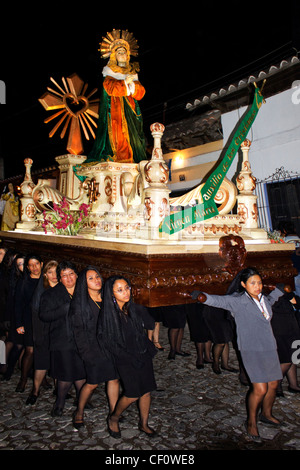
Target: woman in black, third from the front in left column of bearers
66, 366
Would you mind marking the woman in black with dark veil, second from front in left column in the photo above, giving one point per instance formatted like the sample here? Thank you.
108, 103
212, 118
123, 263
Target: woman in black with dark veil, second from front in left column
83, 318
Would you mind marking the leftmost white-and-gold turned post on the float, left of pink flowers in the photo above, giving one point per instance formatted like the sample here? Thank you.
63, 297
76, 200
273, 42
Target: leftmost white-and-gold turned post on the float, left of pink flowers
28, 210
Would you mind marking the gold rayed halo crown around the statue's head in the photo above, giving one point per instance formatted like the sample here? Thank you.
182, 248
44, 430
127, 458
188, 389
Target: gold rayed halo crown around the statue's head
118, 38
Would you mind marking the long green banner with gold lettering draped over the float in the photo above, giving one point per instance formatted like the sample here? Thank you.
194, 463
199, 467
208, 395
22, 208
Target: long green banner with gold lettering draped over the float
207, 209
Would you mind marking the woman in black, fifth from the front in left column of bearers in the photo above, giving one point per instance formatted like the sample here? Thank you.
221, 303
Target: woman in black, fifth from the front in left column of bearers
23, 313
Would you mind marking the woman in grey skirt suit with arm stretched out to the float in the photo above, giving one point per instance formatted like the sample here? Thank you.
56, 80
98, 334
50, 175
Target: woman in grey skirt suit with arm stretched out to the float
252, 312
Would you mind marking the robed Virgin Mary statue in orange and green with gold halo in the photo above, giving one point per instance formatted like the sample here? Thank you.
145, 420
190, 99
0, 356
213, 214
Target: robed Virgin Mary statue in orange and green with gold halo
120, 135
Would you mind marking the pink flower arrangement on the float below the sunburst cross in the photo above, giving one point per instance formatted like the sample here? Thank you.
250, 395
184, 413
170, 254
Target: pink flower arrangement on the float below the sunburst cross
61, 220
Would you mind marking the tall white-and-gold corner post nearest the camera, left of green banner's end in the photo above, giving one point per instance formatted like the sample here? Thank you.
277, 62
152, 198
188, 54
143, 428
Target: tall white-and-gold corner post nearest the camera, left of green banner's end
156, 203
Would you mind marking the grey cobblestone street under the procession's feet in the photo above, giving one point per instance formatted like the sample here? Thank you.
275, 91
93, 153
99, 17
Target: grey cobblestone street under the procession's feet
191, 410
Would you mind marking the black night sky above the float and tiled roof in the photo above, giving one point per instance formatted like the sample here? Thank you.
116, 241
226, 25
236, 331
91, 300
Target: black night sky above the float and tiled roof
183, 54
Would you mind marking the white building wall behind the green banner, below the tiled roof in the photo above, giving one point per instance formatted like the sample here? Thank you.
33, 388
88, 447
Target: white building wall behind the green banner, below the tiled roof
275, 137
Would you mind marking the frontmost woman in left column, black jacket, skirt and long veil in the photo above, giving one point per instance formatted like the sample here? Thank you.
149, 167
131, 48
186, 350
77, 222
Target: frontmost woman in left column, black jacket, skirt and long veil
121, 331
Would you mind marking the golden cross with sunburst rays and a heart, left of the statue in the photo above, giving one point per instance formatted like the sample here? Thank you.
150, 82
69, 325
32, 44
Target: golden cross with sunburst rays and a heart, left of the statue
76, 111
